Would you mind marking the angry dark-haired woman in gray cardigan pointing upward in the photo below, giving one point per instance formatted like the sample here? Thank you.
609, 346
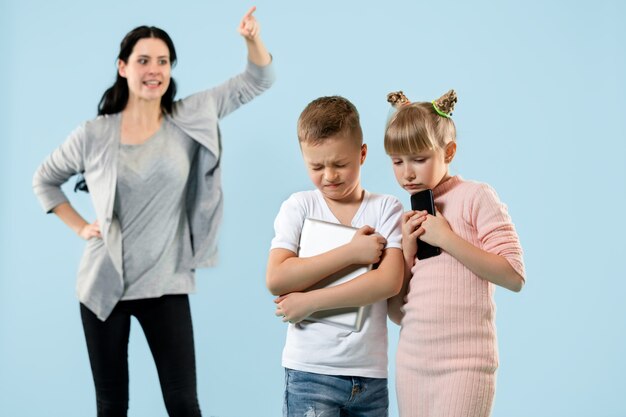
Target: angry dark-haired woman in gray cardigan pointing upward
152, 167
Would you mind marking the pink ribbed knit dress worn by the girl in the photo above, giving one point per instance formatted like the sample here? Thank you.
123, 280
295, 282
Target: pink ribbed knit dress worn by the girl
447, 354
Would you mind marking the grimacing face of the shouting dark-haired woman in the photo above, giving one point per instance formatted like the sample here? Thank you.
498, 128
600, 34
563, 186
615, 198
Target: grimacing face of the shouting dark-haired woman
148, 70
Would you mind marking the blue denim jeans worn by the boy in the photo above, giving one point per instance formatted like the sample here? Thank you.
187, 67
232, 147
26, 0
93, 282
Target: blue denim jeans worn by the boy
316, 395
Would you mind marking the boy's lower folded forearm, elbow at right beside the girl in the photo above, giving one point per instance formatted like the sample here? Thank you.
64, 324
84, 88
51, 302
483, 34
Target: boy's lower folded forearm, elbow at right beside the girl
378, 284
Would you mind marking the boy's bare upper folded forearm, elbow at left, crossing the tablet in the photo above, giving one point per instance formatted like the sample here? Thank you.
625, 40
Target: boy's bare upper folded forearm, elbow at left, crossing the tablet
287, 273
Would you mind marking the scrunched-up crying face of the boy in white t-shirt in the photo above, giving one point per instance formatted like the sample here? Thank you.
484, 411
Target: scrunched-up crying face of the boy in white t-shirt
334, 166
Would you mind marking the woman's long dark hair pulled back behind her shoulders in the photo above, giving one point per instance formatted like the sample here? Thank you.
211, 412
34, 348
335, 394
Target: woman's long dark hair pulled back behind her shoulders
115, 98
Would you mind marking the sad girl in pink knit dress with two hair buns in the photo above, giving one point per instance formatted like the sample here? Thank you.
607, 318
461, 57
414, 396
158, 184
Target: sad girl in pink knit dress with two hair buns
447, 354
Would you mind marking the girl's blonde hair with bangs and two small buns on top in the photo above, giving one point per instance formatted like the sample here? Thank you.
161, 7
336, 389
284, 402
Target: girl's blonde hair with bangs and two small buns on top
416, 127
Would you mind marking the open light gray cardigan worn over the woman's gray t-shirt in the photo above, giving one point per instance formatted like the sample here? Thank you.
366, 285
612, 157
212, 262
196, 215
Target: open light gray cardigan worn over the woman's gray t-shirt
93, 149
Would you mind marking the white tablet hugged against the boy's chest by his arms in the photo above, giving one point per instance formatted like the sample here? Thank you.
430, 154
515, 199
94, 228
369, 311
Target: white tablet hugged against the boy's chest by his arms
318, 237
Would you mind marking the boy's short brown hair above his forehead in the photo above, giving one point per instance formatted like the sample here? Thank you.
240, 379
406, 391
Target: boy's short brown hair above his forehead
329, 116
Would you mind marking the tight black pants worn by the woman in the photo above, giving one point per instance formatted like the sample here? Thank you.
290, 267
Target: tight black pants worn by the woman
166, 322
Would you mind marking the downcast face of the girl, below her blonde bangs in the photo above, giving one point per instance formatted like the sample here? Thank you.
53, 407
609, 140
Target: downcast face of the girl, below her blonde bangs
424, 170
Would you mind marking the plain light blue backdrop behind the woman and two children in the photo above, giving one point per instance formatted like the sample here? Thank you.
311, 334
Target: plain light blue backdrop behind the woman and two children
540, 117
